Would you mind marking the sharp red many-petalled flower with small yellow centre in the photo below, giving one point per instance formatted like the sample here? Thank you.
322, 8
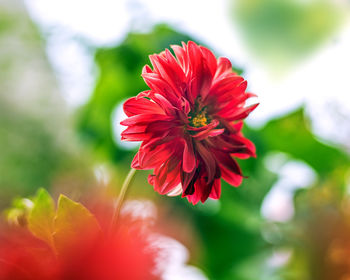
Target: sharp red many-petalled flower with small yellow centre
189, 123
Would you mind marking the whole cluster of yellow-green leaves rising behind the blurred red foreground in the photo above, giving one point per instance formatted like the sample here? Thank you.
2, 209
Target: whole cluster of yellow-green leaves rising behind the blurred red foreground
56, 226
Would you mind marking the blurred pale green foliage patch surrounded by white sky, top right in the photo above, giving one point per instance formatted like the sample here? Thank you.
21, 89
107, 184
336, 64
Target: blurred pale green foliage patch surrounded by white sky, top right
282, 31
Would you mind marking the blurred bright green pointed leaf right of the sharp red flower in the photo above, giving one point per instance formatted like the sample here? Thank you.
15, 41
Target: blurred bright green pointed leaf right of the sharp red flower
290, 134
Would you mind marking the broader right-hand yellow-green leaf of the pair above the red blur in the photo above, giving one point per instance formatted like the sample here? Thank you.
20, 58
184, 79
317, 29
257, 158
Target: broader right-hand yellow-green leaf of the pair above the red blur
71, 222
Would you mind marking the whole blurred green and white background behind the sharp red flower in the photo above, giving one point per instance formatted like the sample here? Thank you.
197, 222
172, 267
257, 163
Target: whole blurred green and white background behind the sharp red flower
67, 66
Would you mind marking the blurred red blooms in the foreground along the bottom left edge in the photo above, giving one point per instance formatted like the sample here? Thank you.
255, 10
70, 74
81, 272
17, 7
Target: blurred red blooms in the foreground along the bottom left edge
125, 255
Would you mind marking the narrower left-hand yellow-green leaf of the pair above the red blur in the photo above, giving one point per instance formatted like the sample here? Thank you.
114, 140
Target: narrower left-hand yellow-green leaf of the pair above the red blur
40, 219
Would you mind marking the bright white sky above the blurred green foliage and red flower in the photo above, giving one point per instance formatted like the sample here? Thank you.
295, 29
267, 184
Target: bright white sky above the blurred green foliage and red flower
318, 81
